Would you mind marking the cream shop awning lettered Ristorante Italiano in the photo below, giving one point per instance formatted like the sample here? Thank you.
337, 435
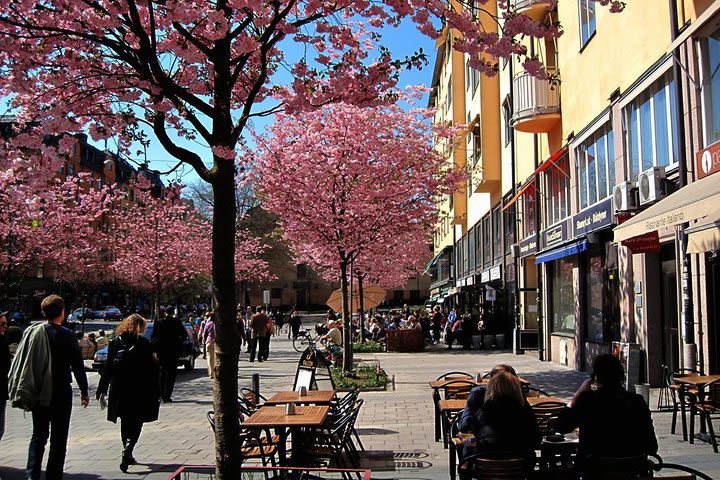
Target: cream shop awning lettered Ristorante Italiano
693, 202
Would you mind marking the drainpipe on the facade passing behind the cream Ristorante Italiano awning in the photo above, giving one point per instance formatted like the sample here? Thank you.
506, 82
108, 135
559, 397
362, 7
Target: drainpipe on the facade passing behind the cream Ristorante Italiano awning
688, 323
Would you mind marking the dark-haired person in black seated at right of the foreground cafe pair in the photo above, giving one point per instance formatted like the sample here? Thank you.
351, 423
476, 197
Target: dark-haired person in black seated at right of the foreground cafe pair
613, 422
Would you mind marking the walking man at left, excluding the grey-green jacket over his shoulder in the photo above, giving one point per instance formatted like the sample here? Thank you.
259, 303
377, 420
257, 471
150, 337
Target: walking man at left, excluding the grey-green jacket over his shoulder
54, 421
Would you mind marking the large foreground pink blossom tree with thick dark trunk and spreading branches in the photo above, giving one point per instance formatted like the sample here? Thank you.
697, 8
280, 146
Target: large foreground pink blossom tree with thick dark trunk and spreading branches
201, 70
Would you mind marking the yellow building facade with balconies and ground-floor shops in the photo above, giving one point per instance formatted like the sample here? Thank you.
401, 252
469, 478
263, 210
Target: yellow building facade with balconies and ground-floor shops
574, 165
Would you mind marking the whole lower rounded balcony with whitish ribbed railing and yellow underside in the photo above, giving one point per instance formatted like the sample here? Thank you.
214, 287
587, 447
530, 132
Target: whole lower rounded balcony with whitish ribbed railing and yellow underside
536, 103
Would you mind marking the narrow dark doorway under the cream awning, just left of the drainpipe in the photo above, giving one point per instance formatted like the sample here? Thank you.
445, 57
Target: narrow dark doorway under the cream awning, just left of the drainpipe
668, 286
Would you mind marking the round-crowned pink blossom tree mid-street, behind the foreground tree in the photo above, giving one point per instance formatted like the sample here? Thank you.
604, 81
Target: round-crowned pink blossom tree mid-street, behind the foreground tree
344, 178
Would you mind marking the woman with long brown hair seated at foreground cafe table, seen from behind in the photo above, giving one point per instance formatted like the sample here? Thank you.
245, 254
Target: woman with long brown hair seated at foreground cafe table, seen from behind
504, 426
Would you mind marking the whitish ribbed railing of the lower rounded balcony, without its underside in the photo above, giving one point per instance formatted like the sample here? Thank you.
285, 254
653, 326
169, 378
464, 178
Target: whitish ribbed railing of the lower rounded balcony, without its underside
533, 96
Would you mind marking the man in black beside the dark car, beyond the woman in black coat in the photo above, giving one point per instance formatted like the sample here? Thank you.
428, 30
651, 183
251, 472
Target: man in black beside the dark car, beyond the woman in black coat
167, 340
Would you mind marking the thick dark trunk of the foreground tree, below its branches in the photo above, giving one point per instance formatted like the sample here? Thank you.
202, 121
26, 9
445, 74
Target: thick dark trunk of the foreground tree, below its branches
225, 385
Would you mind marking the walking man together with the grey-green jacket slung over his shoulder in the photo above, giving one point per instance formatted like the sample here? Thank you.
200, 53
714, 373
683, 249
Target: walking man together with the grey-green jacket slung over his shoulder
40, 381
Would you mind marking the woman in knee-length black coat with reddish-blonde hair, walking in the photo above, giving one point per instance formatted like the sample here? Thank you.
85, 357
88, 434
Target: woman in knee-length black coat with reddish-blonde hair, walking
131, 374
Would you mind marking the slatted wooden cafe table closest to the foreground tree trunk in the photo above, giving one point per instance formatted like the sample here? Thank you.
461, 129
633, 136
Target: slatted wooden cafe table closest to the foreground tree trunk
276, 418
